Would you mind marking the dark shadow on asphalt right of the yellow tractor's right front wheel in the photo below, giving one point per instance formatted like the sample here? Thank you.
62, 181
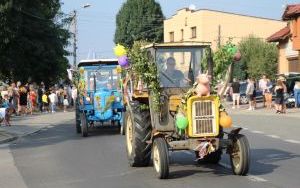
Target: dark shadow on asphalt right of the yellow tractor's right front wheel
265, 161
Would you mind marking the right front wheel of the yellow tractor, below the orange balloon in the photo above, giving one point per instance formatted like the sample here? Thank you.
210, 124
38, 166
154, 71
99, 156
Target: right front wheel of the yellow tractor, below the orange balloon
240, 155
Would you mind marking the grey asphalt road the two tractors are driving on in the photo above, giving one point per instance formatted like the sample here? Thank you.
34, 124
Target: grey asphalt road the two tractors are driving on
58, 157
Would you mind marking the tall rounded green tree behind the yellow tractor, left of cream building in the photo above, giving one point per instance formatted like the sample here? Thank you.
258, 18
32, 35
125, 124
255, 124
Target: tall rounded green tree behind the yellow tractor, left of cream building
139, 20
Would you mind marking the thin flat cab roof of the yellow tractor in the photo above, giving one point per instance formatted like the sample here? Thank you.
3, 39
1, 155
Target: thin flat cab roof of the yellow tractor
179, 44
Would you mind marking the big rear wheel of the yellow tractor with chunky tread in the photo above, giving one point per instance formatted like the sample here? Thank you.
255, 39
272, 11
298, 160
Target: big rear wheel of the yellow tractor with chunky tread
138, 131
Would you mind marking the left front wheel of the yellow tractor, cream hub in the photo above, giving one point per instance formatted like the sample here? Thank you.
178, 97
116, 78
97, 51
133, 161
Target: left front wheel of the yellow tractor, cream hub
160, 155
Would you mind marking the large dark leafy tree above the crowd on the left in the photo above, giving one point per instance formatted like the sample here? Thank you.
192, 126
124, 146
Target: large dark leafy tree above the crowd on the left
32, 41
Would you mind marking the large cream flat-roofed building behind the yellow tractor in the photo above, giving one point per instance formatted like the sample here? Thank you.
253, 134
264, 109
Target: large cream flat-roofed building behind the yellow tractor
217, 27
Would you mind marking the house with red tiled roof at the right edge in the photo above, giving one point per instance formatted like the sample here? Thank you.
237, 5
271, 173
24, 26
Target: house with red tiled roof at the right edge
288, 41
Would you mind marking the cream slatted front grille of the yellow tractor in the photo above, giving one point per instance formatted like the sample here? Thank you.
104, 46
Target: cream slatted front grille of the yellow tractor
204, 118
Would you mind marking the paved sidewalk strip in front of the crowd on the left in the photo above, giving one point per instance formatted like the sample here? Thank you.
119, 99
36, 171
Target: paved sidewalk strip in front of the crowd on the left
26, 125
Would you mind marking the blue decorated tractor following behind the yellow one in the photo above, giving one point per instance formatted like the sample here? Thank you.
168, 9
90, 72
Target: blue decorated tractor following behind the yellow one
99, 100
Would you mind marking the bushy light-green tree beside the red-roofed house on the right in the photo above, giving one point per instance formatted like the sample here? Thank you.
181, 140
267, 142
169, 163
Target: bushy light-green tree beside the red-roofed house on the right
258, 58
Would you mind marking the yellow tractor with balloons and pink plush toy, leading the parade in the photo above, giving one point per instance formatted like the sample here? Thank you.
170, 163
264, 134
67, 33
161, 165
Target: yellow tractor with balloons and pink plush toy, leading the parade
184, 121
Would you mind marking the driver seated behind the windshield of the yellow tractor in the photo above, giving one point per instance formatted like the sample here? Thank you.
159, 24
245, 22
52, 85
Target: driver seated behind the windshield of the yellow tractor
172, 77
